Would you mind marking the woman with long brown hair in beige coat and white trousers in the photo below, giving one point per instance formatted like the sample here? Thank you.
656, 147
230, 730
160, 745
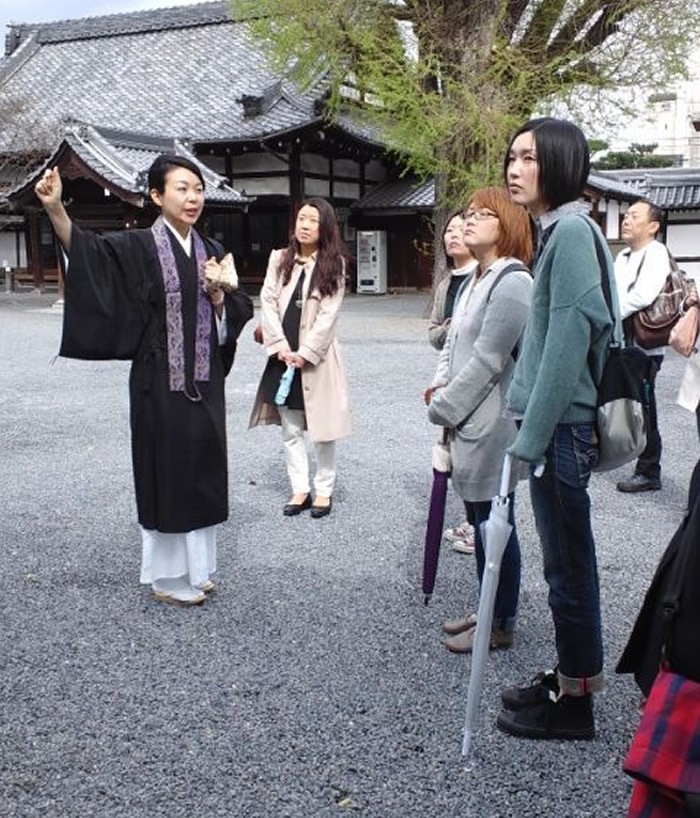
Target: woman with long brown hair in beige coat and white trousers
300, 299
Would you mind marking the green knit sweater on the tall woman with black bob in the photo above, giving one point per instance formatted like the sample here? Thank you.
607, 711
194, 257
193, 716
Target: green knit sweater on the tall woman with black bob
567, 335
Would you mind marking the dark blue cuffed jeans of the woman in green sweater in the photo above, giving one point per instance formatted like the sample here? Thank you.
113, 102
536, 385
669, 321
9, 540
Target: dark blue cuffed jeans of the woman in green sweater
563, 517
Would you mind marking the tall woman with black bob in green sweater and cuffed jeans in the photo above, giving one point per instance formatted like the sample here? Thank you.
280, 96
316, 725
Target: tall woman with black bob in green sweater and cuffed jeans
553, 398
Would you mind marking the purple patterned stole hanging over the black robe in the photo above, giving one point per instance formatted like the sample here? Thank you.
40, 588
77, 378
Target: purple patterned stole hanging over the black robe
173, 311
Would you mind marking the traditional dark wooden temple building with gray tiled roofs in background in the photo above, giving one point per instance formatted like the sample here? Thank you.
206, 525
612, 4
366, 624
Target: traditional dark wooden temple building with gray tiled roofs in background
102, 96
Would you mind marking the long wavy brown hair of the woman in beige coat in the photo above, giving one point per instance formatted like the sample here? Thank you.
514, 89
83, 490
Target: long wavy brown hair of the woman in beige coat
331, 252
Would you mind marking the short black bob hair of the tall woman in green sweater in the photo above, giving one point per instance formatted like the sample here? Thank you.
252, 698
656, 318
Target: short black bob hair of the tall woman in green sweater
563, 159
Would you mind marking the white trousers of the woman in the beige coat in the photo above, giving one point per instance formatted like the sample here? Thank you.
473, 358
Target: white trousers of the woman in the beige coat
297, 460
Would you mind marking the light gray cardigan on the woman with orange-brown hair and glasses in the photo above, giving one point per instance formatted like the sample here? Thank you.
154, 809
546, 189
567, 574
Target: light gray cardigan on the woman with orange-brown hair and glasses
474, 371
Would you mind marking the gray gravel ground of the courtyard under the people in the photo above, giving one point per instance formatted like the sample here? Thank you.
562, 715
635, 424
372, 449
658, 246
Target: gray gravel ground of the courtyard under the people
314, 683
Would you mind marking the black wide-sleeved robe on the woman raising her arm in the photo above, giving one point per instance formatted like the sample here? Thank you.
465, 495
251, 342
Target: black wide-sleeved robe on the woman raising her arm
115, 309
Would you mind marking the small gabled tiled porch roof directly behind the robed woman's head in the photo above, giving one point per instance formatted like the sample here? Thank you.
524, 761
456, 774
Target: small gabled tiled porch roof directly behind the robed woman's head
123, 160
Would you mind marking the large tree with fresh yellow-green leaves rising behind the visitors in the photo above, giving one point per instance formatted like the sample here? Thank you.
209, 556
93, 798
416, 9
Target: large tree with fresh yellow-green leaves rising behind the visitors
447, 102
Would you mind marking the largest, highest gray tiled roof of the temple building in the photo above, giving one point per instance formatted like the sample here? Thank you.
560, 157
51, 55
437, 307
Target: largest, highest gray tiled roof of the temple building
181, 71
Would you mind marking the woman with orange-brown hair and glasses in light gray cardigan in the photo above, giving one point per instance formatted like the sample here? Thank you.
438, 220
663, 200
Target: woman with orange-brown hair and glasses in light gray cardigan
468, 390
